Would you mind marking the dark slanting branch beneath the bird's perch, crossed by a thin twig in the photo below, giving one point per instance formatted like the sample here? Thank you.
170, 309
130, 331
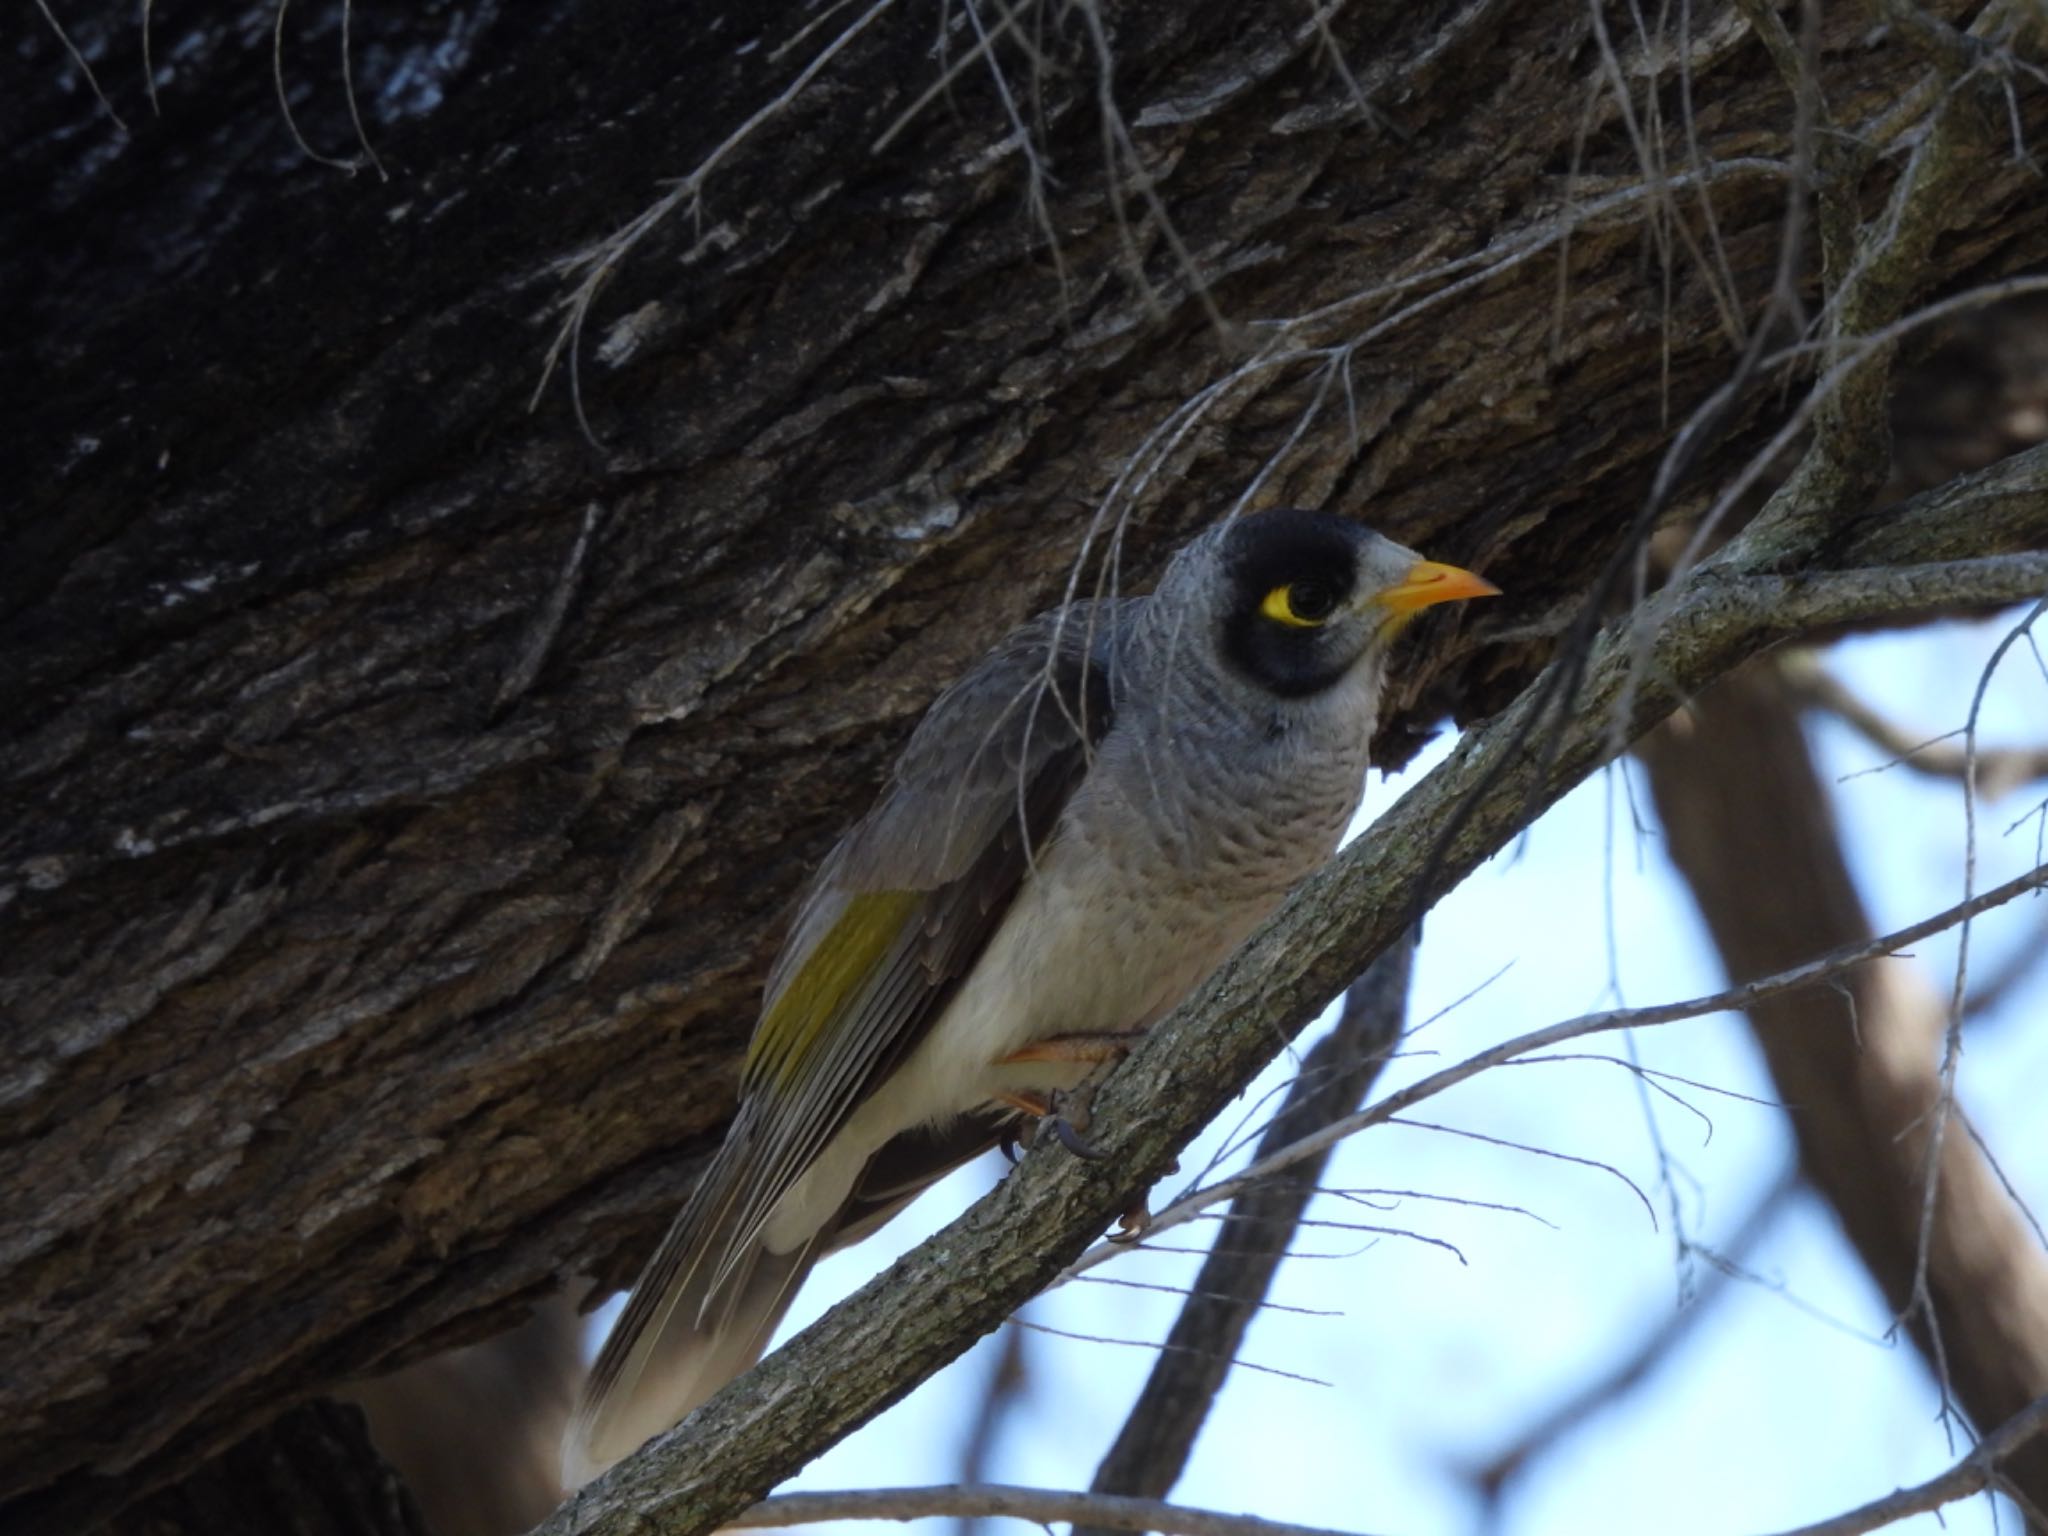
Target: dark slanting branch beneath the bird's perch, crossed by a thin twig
1152, 1451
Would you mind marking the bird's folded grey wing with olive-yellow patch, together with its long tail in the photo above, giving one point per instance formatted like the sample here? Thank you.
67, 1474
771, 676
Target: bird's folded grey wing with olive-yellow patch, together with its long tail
972, 800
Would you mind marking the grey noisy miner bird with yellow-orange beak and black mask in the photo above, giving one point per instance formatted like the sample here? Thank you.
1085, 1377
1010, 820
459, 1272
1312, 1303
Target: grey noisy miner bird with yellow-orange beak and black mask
1076, 837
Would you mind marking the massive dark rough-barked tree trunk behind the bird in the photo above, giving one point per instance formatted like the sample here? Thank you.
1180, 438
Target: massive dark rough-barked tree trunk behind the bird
400, 790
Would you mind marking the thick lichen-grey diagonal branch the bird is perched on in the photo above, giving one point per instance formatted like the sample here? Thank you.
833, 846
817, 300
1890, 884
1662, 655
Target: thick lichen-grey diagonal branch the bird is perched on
871, 1349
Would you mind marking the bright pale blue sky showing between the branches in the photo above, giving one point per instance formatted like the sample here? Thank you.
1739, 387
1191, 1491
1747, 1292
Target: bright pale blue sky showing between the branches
1787, 1400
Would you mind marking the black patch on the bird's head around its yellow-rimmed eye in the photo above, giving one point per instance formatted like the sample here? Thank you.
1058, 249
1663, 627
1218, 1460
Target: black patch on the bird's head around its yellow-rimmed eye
1314, 554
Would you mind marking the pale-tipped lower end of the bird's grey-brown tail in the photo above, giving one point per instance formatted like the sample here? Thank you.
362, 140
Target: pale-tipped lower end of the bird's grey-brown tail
671, 1353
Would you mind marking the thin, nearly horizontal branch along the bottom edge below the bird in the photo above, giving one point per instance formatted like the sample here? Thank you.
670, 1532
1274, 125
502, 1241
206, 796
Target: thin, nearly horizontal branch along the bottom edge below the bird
1039, 1506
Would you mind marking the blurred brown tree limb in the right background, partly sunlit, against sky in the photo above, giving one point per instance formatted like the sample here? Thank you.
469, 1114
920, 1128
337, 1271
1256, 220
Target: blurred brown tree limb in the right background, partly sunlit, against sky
1752, 830
